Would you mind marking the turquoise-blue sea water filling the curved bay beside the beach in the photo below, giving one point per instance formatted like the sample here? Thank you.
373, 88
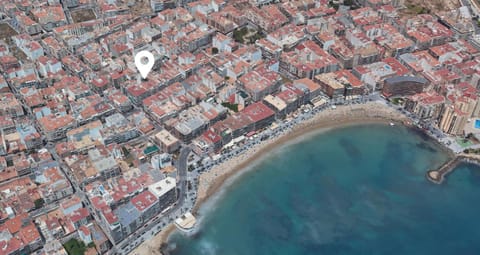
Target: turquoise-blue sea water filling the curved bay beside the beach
355, 190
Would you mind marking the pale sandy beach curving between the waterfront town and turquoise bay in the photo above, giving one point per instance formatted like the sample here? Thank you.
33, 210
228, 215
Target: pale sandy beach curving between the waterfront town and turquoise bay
210, 182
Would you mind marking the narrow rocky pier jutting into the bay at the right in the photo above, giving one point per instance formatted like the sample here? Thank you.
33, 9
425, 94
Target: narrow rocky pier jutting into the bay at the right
438, 176
